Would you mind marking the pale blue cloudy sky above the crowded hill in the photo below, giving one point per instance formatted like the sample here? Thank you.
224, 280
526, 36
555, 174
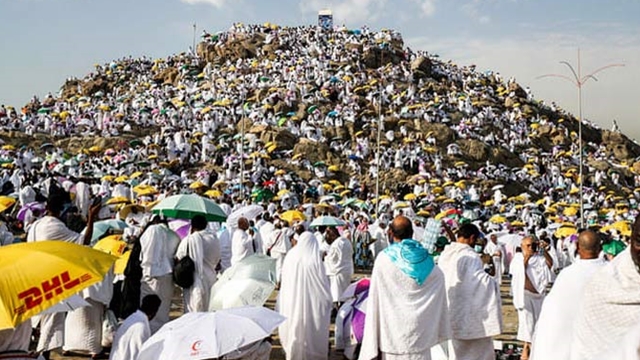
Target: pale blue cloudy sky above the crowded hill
42, 42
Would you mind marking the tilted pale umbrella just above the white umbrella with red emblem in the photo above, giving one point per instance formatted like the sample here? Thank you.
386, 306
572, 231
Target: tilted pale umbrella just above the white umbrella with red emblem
248, 282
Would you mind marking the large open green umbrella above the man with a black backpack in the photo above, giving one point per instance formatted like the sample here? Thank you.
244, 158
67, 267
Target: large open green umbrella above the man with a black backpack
188, 206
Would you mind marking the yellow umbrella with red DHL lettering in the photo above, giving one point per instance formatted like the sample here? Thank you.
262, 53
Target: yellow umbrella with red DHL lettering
62, 269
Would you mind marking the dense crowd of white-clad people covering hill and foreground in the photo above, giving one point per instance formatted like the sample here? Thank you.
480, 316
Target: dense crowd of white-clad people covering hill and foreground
440, 241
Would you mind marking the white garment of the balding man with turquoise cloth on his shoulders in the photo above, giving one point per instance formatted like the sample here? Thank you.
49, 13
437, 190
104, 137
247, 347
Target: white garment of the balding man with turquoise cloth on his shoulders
397, 311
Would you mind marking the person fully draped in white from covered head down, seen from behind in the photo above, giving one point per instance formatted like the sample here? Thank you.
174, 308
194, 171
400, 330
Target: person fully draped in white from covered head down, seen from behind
305, 300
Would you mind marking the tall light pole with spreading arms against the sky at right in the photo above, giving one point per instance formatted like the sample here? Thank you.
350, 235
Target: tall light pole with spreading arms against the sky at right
578, 80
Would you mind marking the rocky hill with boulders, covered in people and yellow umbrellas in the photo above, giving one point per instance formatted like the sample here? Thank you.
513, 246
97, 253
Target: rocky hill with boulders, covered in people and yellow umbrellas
429, 105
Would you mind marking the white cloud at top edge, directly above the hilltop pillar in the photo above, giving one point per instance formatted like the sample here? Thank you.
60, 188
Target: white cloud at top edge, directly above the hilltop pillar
351, 12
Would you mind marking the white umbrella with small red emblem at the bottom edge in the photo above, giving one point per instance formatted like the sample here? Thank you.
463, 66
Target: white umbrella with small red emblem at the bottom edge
198, 335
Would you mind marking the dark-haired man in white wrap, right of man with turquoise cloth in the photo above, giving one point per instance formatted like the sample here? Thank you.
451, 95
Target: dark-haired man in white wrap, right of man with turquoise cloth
473, 297
